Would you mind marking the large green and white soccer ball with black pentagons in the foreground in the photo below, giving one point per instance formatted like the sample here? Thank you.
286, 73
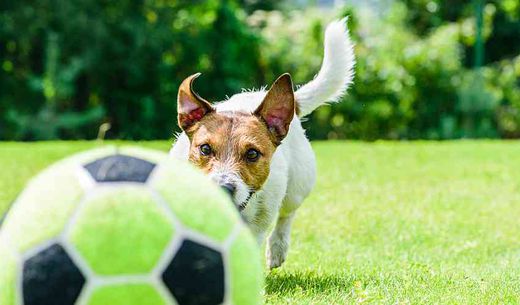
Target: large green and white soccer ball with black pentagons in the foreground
126, 226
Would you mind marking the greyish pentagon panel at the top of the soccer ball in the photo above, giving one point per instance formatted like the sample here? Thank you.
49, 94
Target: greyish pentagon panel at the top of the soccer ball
120, 168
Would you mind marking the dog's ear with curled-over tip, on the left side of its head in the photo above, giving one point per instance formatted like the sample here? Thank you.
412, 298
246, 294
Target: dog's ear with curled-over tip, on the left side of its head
191, 108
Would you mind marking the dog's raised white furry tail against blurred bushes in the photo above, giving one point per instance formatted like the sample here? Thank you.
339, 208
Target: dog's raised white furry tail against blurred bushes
336, 72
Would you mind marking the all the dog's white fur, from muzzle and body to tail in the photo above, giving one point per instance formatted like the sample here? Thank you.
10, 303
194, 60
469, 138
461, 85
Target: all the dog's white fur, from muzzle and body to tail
293, 166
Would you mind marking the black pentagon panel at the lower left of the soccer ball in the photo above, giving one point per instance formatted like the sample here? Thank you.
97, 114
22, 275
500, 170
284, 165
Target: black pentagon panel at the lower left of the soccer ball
51, 277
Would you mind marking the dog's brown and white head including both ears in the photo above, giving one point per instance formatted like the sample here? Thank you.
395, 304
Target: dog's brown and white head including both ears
235, 148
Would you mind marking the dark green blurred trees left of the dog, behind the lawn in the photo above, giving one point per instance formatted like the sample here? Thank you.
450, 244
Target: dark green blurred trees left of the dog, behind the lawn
118, 61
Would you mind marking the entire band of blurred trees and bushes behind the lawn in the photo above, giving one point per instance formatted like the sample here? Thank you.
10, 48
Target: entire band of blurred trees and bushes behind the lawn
67, 66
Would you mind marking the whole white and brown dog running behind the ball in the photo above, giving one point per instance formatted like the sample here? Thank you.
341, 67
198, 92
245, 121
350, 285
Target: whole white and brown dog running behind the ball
253, 144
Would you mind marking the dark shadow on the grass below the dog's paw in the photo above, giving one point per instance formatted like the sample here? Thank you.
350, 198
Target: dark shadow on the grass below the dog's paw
308, 281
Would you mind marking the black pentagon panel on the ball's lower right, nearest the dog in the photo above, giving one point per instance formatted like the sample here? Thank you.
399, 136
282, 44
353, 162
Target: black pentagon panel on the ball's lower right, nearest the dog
196, 275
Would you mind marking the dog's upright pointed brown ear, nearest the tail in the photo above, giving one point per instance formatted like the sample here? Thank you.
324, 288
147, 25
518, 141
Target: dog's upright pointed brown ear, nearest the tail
277, 108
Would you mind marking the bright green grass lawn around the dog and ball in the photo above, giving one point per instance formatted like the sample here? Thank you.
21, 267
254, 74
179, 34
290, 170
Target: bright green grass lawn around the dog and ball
417, 223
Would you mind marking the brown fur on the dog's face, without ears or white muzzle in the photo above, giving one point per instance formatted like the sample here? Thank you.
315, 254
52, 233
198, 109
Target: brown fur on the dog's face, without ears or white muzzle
230, 136
